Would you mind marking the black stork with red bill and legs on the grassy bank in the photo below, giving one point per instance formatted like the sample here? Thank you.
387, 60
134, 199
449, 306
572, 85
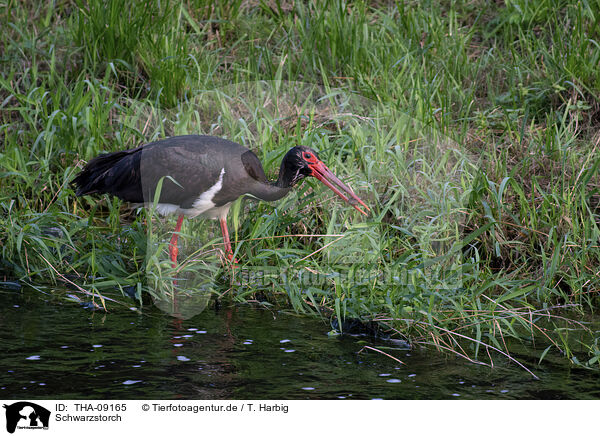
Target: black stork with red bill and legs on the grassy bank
201, 175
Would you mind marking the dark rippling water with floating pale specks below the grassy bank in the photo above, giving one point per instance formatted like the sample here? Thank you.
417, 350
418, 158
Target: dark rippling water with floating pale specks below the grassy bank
58, 350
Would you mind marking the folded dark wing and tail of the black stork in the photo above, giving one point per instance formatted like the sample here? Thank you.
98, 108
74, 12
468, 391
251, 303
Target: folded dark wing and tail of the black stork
187, 165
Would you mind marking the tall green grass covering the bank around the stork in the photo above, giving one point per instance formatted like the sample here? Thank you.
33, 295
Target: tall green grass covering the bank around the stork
471, 129
